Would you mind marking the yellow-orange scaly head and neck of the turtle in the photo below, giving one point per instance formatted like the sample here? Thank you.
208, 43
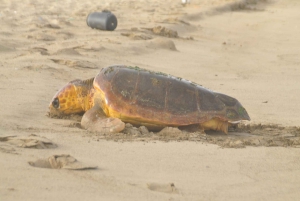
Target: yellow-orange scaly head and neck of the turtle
73, 98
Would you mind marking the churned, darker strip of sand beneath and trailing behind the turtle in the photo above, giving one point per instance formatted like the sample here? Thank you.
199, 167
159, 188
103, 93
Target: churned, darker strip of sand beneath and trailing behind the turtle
239, 137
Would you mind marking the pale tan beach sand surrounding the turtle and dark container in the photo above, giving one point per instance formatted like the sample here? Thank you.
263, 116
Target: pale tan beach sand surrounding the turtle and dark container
248, 49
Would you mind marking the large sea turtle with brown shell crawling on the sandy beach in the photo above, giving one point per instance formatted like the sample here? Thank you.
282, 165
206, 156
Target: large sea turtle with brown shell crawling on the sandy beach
156, 100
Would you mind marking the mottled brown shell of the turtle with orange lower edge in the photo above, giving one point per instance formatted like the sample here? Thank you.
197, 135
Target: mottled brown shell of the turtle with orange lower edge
155, 99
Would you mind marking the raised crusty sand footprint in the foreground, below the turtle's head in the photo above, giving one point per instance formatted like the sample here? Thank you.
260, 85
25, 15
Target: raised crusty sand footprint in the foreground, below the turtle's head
63, 161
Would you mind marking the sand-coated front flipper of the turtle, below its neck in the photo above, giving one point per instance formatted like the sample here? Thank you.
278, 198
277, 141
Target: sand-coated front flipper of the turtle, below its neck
96, 121
